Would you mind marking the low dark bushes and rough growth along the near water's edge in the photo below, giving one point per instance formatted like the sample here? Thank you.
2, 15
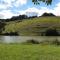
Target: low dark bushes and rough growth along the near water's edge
55, 42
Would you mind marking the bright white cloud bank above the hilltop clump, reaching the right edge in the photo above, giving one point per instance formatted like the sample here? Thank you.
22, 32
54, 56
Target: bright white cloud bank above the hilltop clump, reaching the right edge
55, 10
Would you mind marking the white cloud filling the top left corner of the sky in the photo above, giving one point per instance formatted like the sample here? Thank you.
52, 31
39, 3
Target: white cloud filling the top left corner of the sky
5, 4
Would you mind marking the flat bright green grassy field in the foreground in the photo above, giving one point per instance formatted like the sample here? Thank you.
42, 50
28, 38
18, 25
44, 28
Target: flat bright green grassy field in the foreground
29, 52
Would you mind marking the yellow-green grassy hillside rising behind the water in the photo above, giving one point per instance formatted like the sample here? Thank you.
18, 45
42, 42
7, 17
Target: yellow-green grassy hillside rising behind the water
33, 26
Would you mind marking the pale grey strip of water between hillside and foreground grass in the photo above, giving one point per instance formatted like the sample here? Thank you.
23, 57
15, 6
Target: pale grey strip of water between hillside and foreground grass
19, 39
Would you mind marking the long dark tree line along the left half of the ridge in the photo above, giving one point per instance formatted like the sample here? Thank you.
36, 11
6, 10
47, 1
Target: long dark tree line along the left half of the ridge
15, 18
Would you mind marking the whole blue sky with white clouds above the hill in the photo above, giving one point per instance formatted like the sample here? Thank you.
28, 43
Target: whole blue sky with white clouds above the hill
9, 8
